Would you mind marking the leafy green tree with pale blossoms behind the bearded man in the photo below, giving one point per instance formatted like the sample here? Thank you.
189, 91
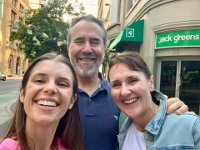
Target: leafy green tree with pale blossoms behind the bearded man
44, 29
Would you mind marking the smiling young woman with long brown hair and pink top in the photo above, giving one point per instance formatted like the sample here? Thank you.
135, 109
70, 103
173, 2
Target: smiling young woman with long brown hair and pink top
48, 100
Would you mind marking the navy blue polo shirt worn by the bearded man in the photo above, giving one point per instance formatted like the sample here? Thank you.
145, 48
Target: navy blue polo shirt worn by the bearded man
99, 117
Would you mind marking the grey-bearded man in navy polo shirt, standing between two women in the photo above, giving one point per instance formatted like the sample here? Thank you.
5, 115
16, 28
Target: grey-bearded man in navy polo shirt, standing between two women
86, 44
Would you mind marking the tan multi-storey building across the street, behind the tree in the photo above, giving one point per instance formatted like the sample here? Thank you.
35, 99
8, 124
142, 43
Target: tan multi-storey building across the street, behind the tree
12, 61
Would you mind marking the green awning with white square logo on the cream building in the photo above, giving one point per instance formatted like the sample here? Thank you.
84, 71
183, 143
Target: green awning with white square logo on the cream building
133, 33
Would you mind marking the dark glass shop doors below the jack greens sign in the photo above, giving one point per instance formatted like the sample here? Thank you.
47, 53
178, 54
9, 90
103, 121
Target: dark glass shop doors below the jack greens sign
181, 78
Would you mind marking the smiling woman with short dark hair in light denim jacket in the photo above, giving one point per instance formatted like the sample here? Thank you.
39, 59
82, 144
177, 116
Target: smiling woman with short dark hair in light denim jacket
143, 118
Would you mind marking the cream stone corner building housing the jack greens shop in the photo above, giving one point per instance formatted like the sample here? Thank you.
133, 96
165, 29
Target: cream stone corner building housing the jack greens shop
170, 42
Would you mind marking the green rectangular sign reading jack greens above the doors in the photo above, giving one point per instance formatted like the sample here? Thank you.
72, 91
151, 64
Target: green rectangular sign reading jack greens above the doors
184, 38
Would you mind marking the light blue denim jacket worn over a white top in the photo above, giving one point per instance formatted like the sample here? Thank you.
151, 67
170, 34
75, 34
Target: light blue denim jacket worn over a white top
166, 132
